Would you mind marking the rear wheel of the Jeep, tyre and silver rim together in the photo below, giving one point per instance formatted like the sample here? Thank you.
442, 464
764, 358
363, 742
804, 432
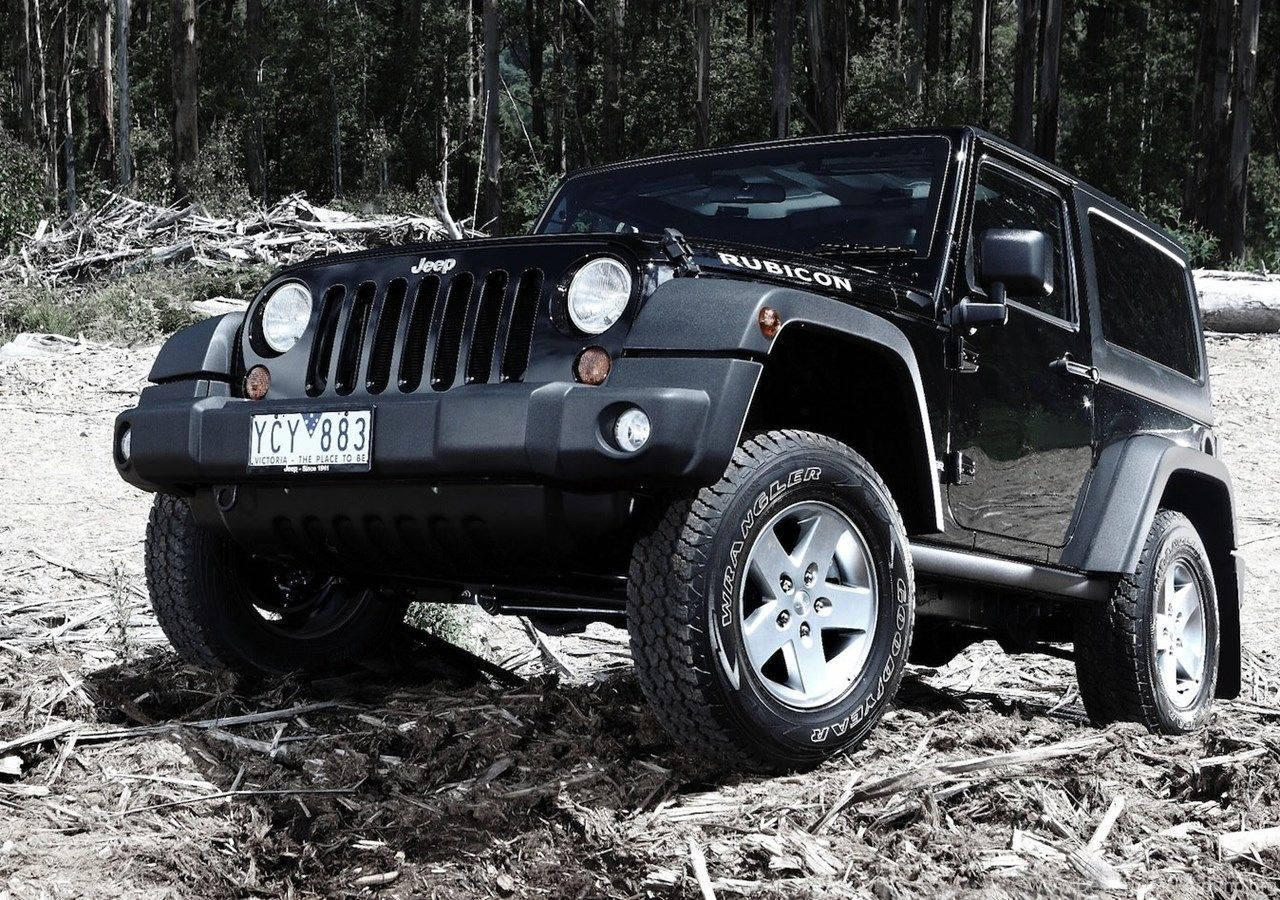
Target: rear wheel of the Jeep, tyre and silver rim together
1151, 654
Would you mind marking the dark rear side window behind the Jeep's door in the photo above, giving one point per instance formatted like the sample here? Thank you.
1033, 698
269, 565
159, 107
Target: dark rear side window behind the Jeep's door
1145, 298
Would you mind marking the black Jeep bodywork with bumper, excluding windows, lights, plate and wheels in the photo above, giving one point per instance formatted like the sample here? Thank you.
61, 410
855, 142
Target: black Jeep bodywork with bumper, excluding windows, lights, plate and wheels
492, 465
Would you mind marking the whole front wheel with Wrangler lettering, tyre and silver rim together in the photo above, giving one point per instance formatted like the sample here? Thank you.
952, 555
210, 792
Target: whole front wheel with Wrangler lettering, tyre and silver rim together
771, 615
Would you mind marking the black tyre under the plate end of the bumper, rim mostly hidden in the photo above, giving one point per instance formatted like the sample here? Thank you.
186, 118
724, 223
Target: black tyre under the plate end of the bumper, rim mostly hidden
198, 590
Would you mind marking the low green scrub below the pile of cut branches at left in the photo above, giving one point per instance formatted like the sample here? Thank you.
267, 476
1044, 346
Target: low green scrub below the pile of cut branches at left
139, 308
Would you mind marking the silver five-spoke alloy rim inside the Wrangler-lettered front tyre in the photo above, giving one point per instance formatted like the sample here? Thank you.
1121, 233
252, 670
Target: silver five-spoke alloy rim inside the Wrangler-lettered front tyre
808, 605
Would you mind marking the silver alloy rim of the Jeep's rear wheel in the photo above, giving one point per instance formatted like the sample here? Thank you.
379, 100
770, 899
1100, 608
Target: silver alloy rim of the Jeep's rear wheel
1181, 636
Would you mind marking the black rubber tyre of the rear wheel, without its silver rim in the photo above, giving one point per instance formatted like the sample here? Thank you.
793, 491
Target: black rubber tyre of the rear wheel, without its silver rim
1114, 642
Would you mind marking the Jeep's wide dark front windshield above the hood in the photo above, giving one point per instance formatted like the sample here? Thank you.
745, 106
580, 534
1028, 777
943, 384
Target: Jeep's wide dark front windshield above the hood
860, 194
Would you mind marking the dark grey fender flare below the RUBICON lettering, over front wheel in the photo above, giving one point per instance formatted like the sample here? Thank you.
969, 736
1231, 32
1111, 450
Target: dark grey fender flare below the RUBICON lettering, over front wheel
720, 317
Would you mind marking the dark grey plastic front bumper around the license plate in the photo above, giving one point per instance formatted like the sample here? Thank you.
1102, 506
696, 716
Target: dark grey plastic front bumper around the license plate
189, 435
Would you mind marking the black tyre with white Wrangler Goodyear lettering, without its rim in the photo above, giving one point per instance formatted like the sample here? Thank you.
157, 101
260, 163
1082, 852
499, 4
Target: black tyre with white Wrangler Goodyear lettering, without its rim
678, 613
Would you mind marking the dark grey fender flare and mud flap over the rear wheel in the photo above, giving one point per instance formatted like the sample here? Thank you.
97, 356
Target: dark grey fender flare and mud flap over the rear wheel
1135, 478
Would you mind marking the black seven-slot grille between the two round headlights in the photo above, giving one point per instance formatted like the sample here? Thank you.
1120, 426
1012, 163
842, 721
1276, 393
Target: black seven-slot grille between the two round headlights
427, 335
